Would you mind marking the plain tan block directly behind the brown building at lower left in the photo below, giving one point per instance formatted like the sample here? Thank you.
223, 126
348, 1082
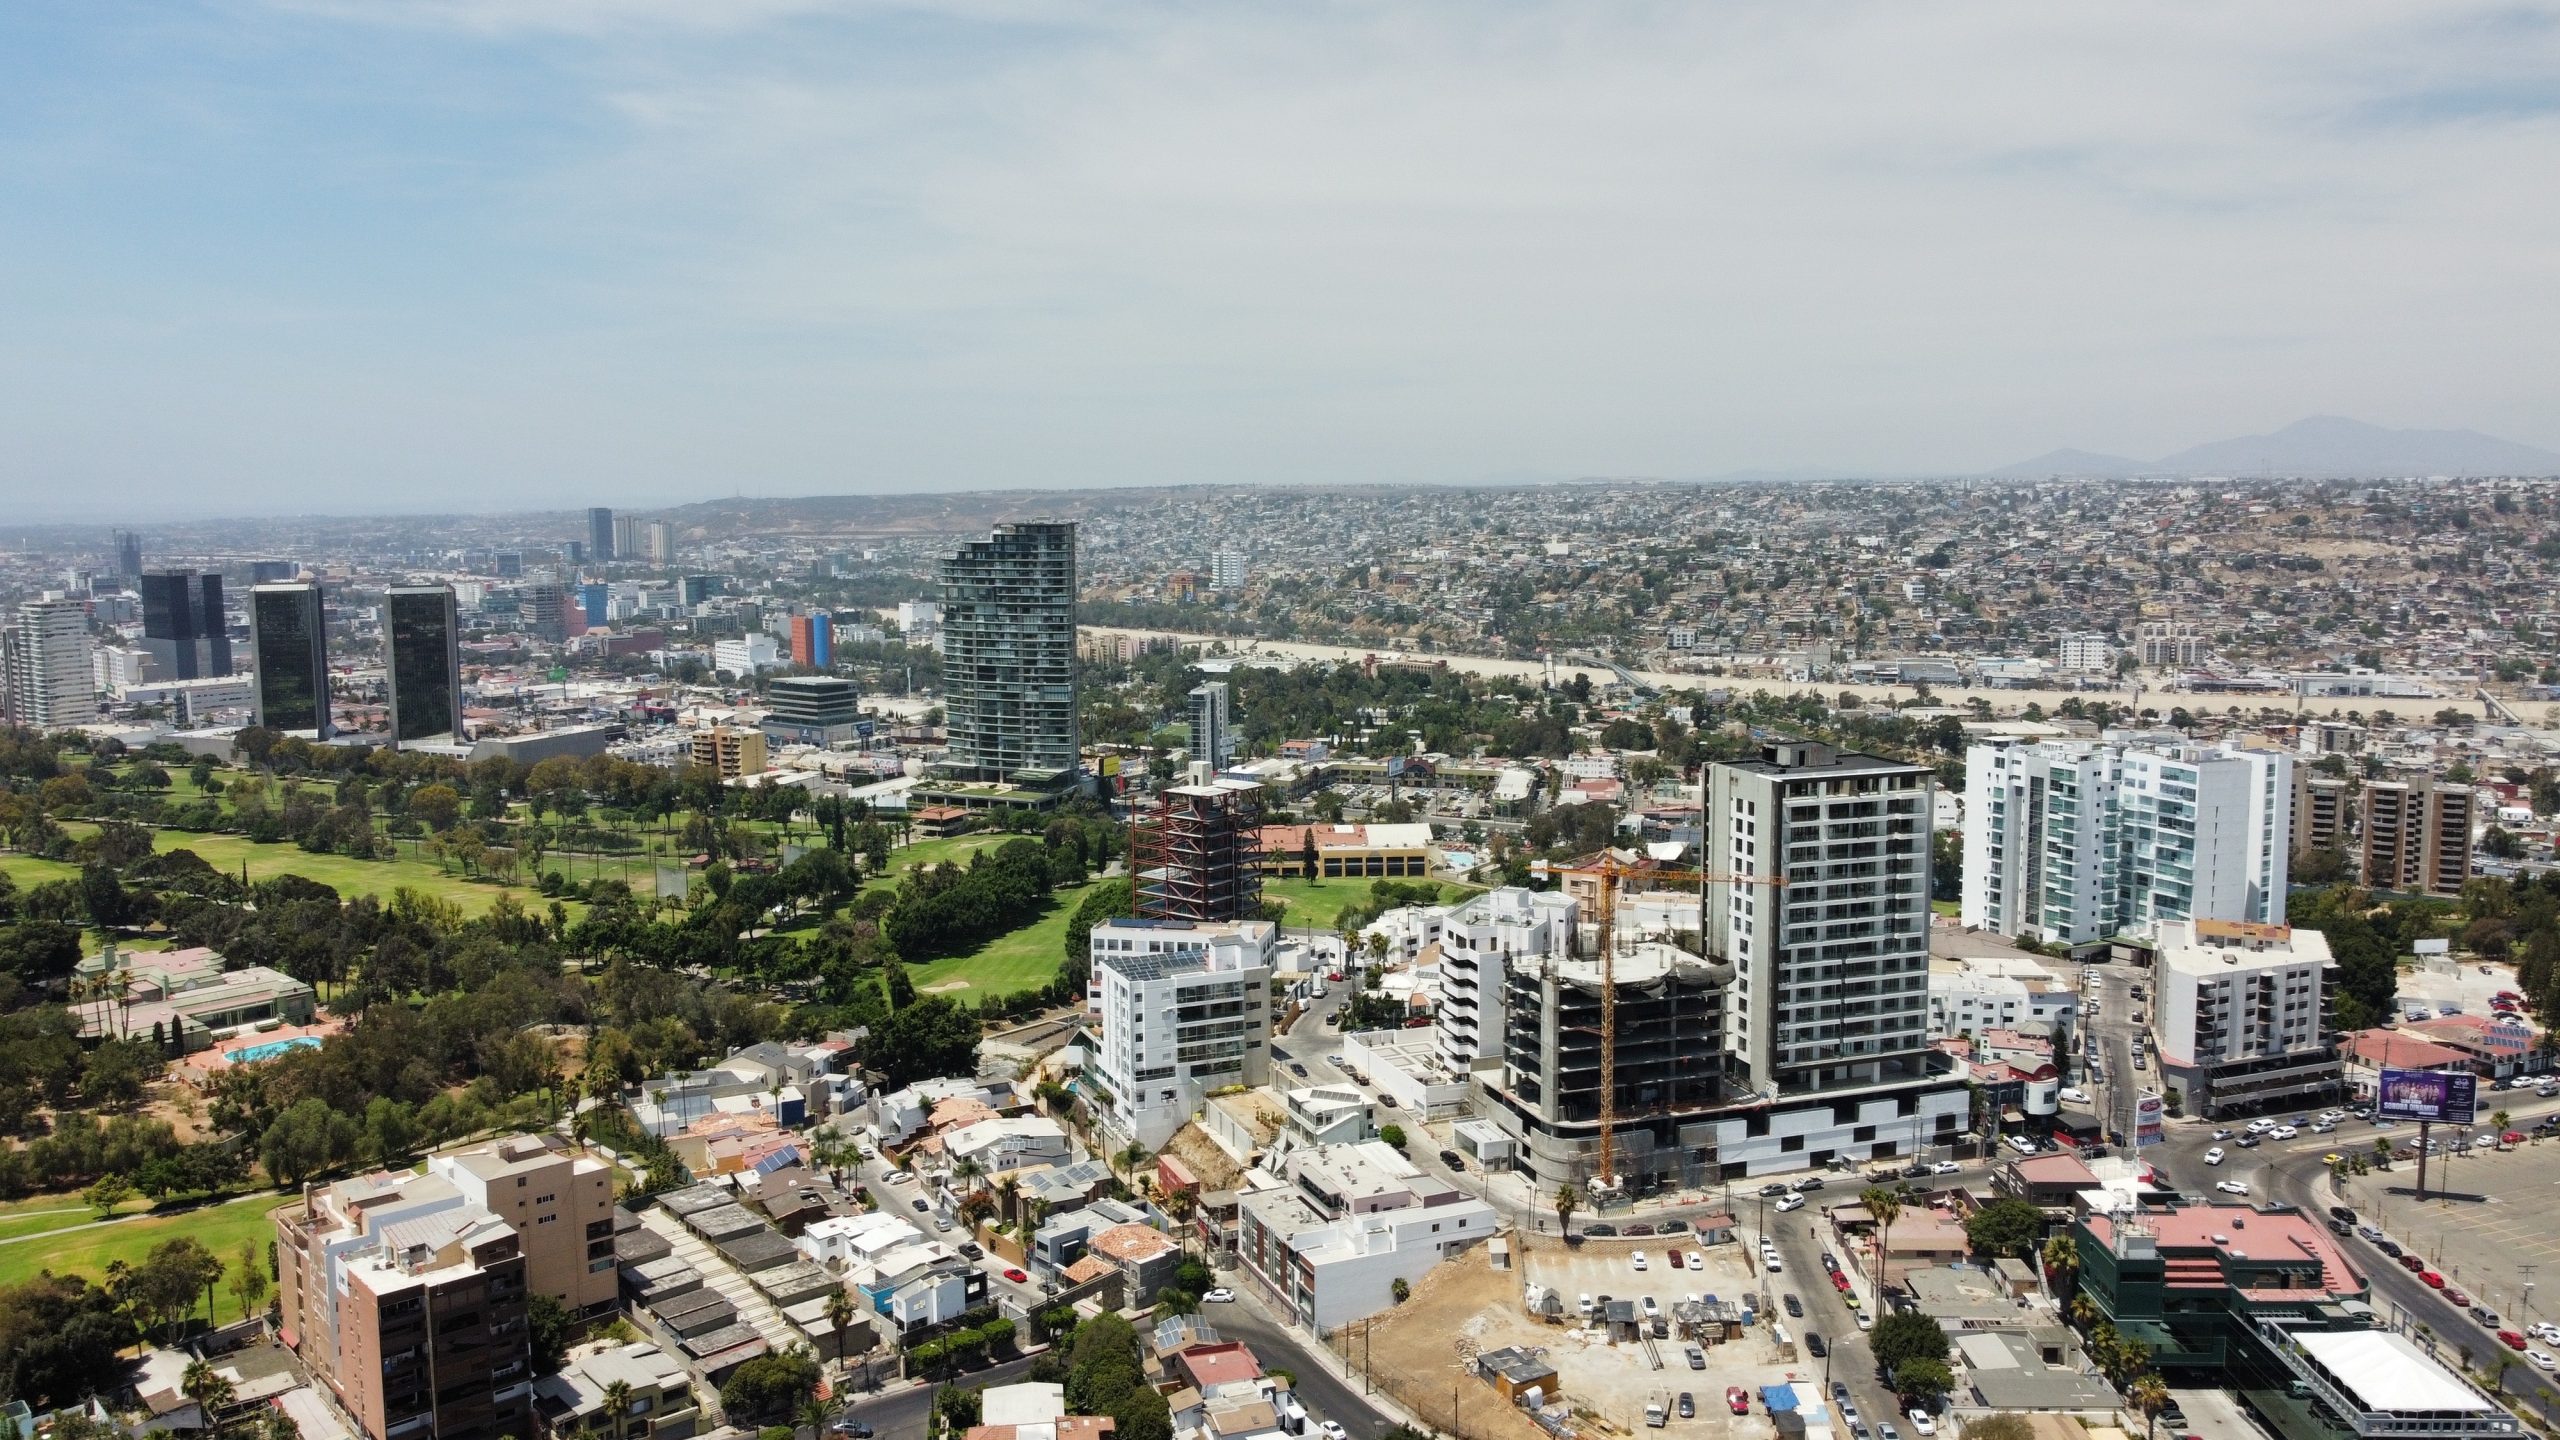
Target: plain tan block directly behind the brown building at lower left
559, 1203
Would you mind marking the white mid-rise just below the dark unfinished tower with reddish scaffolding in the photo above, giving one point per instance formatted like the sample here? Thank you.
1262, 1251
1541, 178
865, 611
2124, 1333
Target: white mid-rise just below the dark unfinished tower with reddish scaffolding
1184, 1013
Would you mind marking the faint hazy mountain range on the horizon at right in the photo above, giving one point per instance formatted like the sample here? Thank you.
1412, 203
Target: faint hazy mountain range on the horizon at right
2318, 447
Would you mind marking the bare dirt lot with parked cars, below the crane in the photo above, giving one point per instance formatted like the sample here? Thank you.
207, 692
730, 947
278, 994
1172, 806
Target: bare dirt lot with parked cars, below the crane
1420, 1352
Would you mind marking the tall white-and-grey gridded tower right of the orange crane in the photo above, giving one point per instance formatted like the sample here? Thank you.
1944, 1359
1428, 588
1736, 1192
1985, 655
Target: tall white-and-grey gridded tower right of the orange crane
1829, 970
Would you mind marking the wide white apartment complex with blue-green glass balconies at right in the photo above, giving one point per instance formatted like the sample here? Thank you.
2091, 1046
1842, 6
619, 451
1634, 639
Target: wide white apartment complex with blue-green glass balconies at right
2077, 842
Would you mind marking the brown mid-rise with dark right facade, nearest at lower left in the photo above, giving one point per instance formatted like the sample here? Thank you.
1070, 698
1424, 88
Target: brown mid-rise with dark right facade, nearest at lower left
411, 1305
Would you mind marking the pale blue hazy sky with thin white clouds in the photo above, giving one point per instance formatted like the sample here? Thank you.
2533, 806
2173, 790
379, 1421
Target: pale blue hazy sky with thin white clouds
401, 255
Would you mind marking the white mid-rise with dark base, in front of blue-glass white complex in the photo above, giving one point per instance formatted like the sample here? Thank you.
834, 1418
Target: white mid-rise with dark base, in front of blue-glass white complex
2244, 1016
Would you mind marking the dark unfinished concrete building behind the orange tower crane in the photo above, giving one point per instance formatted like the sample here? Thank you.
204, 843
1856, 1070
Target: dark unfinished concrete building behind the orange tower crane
1670, 1067
